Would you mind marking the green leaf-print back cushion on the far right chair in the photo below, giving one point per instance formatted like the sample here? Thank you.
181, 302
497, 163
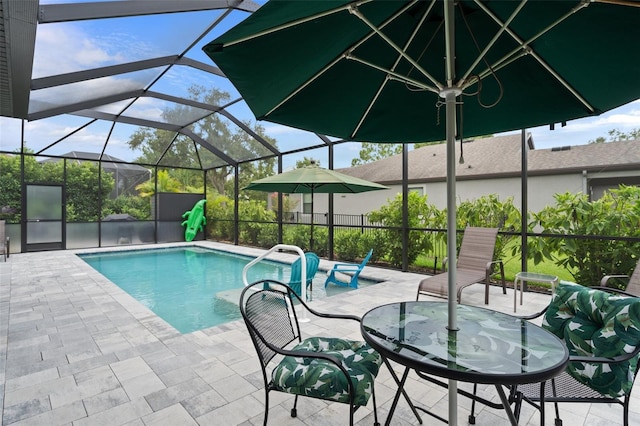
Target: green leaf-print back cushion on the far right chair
596, 323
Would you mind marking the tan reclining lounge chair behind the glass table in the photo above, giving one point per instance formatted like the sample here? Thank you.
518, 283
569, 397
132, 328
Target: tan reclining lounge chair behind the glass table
475, 265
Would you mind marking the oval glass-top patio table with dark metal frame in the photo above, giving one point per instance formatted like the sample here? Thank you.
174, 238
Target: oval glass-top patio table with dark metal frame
490, 347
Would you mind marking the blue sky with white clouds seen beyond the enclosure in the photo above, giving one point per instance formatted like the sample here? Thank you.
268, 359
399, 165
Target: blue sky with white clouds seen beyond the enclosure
89, 44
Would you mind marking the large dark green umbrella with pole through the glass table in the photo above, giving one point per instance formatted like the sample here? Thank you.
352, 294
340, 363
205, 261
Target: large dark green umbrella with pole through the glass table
426, 70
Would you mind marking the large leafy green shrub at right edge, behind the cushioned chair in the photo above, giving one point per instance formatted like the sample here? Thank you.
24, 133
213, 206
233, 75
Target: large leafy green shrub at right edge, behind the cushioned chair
617, 213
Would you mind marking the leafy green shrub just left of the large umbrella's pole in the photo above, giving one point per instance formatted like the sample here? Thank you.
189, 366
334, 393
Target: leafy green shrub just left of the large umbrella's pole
420, 215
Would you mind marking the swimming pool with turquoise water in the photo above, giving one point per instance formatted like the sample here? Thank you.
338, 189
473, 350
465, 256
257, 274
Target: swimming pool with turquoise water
191, 288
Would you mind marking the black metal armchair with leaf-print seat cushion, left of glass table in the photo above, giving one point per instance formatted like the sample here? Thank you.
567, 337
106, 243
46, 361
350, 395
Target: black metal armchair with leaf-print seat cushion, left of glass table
328, 368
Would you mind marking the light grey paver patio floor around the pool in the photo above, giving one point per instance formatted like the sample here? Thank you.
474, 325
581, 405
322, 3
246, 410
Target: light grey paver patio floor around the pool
77, 350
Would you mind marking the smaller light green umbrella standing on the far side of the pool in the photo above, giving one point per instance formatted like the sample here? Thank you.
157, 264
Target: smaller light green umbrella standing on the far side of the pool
310, 180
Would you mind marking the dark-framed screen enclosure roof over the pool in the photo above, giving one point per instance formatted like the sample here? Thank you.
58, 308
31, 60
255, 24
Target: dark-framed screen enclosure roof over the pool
108, 69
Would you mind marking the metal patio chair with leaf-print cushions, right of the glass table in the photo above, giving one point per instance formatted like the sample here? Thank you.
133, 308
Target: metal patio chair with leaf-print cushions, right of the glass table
602, 333
